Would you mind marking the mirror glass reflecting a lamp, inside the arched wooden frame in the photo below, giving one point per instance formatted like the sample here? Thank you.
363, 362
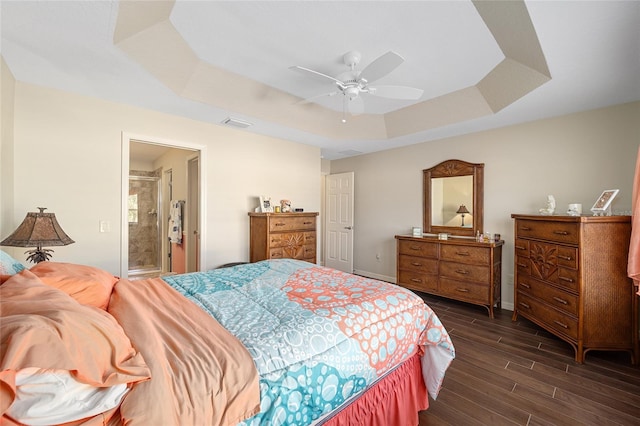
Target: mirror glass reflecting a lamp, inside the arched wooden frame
452, 201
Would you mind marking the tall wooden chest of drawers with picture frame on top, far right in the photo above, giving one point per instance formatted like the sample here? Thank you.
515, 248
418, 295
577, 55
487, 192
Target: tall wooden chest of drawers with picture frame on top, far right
571, 279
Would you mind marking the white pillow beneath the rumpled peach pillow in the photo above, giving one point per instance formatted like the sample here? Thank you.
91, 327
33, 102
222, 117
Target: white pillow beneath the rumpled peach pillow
45, 397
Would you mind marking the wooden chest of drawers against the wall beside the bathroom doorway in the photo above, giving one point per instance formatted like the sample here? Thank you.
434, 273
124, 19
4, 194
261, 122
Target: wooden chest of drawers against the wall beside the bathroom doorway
282, 236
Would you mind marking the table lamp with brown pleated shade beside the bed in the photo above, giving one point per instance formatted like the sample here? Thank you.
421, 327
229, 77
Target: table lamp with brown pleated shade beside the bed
38, 229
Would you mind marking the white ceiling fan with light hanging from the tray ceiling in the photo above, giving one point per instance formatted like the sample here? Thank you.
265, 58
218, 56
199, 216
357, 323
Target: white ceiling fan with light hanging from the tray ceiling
352, 83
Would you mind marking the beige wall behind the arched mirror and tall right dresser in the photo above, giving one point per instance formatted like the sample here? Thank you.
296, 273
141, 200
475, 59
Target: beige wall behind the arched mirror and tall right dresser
573, 157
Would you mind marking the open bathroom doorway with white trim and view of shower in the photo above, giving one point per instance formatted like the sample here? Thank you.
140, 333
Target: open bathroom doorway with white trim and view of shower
176, 171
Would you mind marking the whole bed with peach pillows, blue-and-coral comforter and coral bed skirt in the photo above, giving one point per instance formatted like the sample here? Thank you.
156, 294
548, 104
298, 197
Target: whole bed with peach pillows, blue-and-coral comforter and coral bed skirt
274, 342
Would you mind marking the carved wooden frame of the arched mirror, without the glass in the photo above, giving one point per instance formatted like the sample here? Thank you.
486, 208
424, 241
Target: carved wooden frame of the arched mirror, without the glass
452, 168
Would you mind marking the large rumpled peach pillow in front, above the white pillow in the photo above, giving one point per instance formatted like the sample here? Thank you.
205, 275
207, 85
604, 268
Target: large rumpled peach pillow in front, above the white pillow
42, 327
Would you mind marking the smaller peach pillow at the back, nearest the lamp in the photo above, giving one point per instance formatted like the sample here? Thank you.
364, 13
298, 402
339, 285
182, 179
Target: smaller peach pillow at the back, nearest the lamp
88, 285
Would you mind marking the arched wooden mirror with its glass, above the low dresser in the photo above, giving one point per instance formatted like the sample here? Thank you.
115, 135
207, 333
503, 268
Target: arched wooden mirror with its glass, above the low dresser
453, 198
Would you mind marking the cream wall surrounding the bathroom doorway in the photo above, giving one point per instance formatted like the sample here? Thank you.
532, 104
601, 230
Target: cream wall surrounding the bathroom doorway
68, 158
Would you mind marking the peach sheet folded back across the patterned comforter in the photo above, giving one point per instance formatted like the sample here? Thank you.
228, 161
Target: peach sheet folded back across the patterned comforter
200, 373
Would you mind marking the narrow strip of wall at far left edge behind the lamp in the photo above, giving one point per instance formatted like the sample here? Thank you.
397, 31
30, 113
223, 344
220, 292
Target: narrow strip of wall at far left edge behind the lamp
7, 88
